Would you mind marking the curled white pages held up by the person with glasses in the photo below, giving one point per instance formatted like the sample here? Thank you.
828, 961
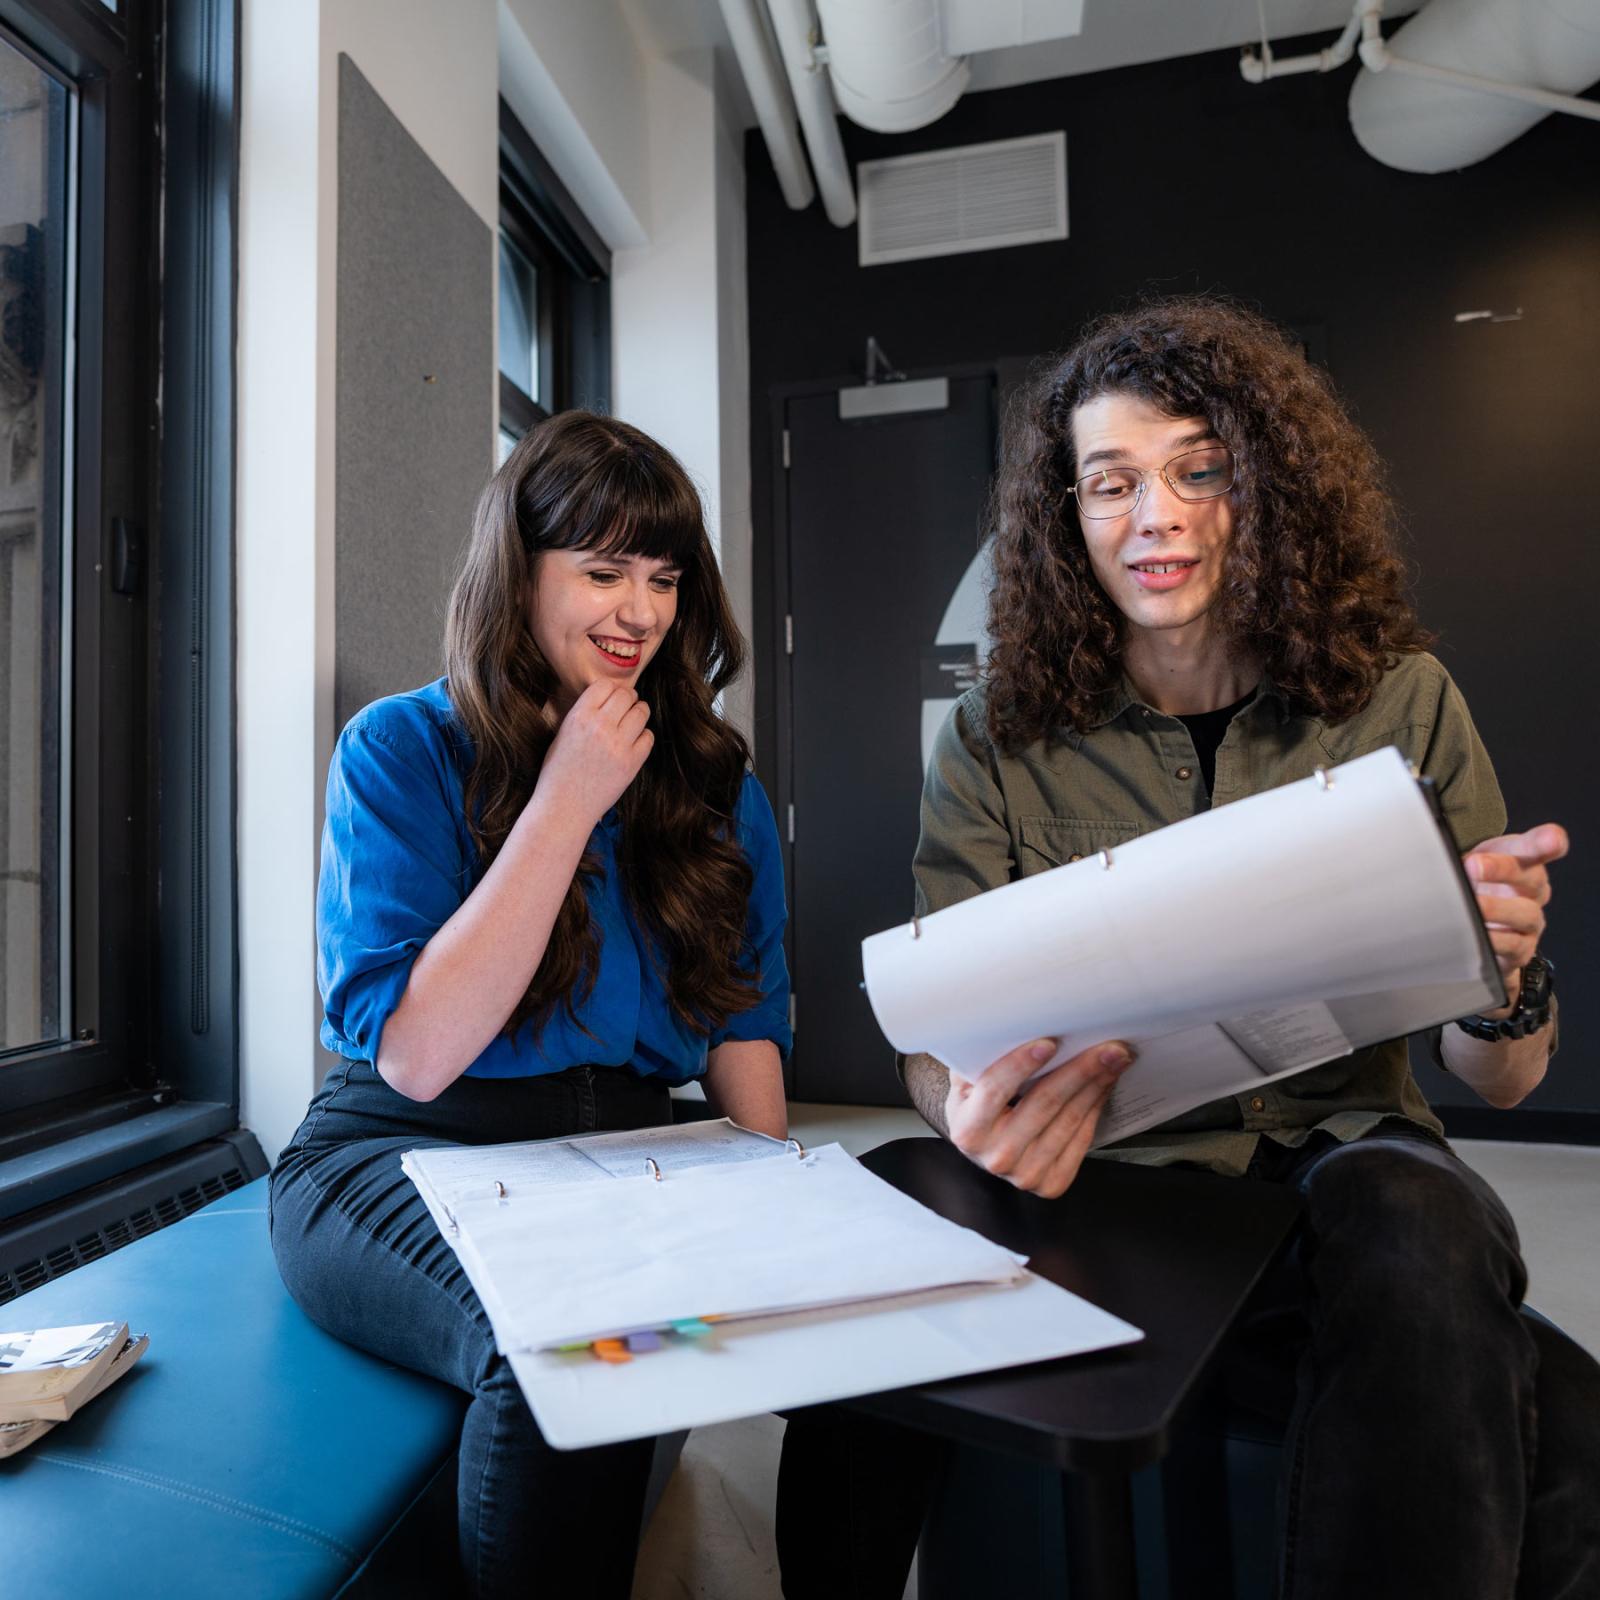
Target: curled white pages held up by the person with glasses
1289, 902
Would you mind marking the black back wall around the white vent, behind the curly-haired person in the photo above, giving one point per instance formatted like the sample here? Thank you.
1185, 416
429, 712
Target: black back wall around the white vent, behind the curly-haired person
1183, 177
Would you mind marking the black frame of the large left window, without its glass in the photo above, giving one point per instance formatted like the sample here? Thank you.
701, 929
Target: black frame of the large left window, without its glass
148, 1063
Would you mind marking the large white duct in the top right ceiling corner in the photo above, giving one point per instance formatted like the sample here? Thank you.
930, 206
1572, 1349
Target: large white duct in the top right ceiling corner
1462, 79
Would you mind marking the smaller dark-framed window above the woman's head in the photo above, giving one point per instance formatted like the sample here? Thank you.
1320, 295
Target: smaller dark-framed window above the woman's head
554, 295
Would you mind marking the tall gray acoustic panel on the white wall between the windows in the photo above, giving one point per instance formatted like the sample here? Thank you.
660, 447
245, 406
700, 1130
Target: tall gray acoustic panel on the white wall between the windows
415, 399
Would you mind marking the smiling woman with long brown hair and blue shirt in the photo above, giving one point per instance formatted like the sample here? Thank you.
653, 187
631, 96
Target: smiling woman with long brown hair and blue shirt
551, 890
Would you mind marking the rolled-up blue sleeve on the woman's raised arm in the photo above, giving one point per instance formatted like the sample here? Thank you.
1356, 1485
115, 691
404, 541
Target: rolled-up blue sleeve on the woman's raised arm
393, 874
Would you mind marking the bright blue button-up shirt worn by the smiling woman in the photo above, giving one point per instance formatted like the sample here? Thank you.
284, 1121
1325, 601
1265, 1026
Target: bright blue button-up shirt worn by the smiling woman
398, 860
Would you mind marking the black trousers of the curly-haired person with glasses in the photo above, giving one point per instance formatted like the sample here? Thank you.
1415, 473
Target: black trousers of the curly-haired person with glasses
1438, 1442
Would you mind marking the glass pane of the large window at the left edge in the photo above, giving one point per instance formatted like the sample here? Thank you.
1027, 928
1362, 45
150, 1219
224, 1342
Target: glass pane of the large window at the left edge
34, 111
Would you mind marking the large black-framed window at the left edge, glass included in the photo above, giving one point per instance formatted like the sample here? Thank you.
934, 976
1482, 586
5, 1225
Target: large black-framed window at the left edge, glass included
116, 532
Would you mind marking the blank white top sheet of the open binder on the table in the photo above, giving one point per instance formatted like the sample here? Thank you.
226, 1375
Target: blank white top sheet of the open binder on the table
570, 1262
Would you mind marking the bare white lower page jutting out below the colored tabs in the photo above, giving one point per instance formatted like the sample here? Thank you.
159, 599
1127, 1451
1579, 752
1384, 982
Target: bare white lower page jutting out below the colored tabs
809, 1358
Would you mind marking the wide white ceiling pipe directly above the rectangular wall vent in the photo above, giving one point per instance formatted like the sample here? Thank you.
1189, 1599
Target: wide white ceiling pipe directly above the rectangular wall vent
889, 65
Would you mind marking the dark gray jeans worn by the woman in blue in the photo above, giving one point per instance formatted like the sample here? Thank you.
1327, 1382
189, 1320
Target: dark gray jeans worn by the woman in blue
362, 1257
